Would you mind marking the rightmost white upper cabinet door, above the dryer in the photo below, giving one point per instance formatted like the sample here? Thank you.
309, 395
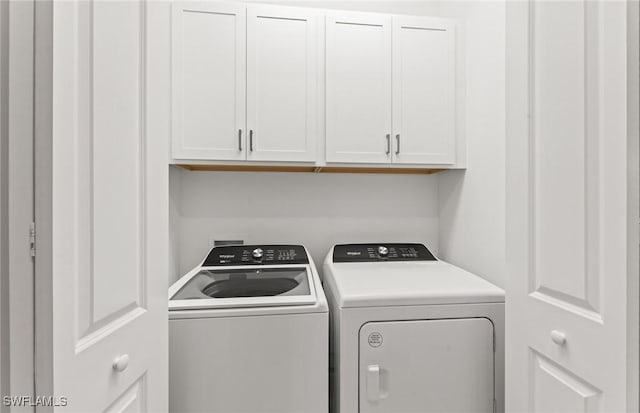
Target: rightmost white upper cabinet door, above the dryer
424, 91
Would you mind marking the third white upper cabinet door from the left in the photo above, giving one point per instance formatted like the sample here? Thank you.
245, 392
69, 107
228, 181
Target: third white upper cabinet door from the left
358, 88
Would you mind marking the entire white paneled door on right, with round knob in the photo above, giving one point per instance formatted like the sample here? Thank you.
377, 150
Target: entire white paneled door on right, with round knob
571, 245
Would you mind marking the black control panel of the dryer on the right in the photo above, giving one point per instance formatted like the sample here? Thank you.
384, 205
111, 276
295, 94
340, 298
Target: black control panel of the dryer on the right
381, 252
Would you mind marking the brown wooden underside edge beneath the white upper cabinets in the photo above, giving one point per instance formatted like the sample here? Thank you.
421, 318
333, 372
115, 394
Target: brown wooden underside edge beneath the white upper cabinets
309, 169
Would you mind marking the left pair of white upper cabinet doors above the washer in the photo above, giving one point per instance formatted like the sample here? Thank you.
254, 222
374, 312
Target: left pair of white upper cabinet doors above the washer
245, 82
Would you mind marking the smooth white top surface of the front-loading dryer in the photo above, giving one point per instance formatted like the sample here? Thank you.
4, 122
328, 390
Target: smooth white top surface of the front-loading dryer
372, 284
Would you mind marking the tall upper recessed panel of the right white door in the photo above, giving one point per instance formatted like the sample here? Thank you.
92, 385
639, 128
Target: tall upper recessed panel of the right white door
563, 130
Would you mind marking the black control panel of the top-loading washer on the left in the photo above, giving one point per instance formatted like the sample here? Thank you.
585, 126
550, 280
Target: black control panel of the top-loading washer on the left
256, 255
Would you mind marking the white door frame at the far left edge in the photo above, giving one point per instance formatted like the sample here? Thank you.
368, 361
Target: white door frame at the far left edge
17, 200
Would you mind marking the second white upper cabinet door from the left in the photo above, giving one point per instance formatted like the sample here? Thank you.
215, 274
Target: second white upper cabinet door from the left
282, 83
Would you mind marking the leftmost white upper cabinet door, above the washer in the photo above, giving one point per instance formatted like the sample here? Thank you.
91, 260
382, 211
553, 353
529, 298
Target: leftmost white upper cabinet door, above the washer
209, 79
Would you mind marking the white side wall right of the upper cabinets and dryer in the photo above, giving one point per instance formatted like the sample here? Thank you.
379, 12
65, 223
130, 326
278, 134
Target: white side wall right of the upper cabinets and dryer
472, 203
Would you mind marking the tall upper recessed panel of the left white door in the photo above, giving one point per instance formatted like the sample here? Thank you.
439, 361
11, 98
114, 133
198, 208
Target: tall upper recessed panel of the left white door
111, 158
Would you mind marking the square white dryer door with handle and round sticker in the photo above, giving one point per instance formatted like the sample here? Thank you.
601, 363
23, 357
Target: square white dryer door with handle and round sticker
427, 366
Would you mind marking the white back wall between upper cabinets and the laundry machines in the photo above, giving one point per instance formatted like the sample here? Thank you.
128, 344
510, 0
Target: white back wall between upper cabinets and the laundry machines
316, 210
